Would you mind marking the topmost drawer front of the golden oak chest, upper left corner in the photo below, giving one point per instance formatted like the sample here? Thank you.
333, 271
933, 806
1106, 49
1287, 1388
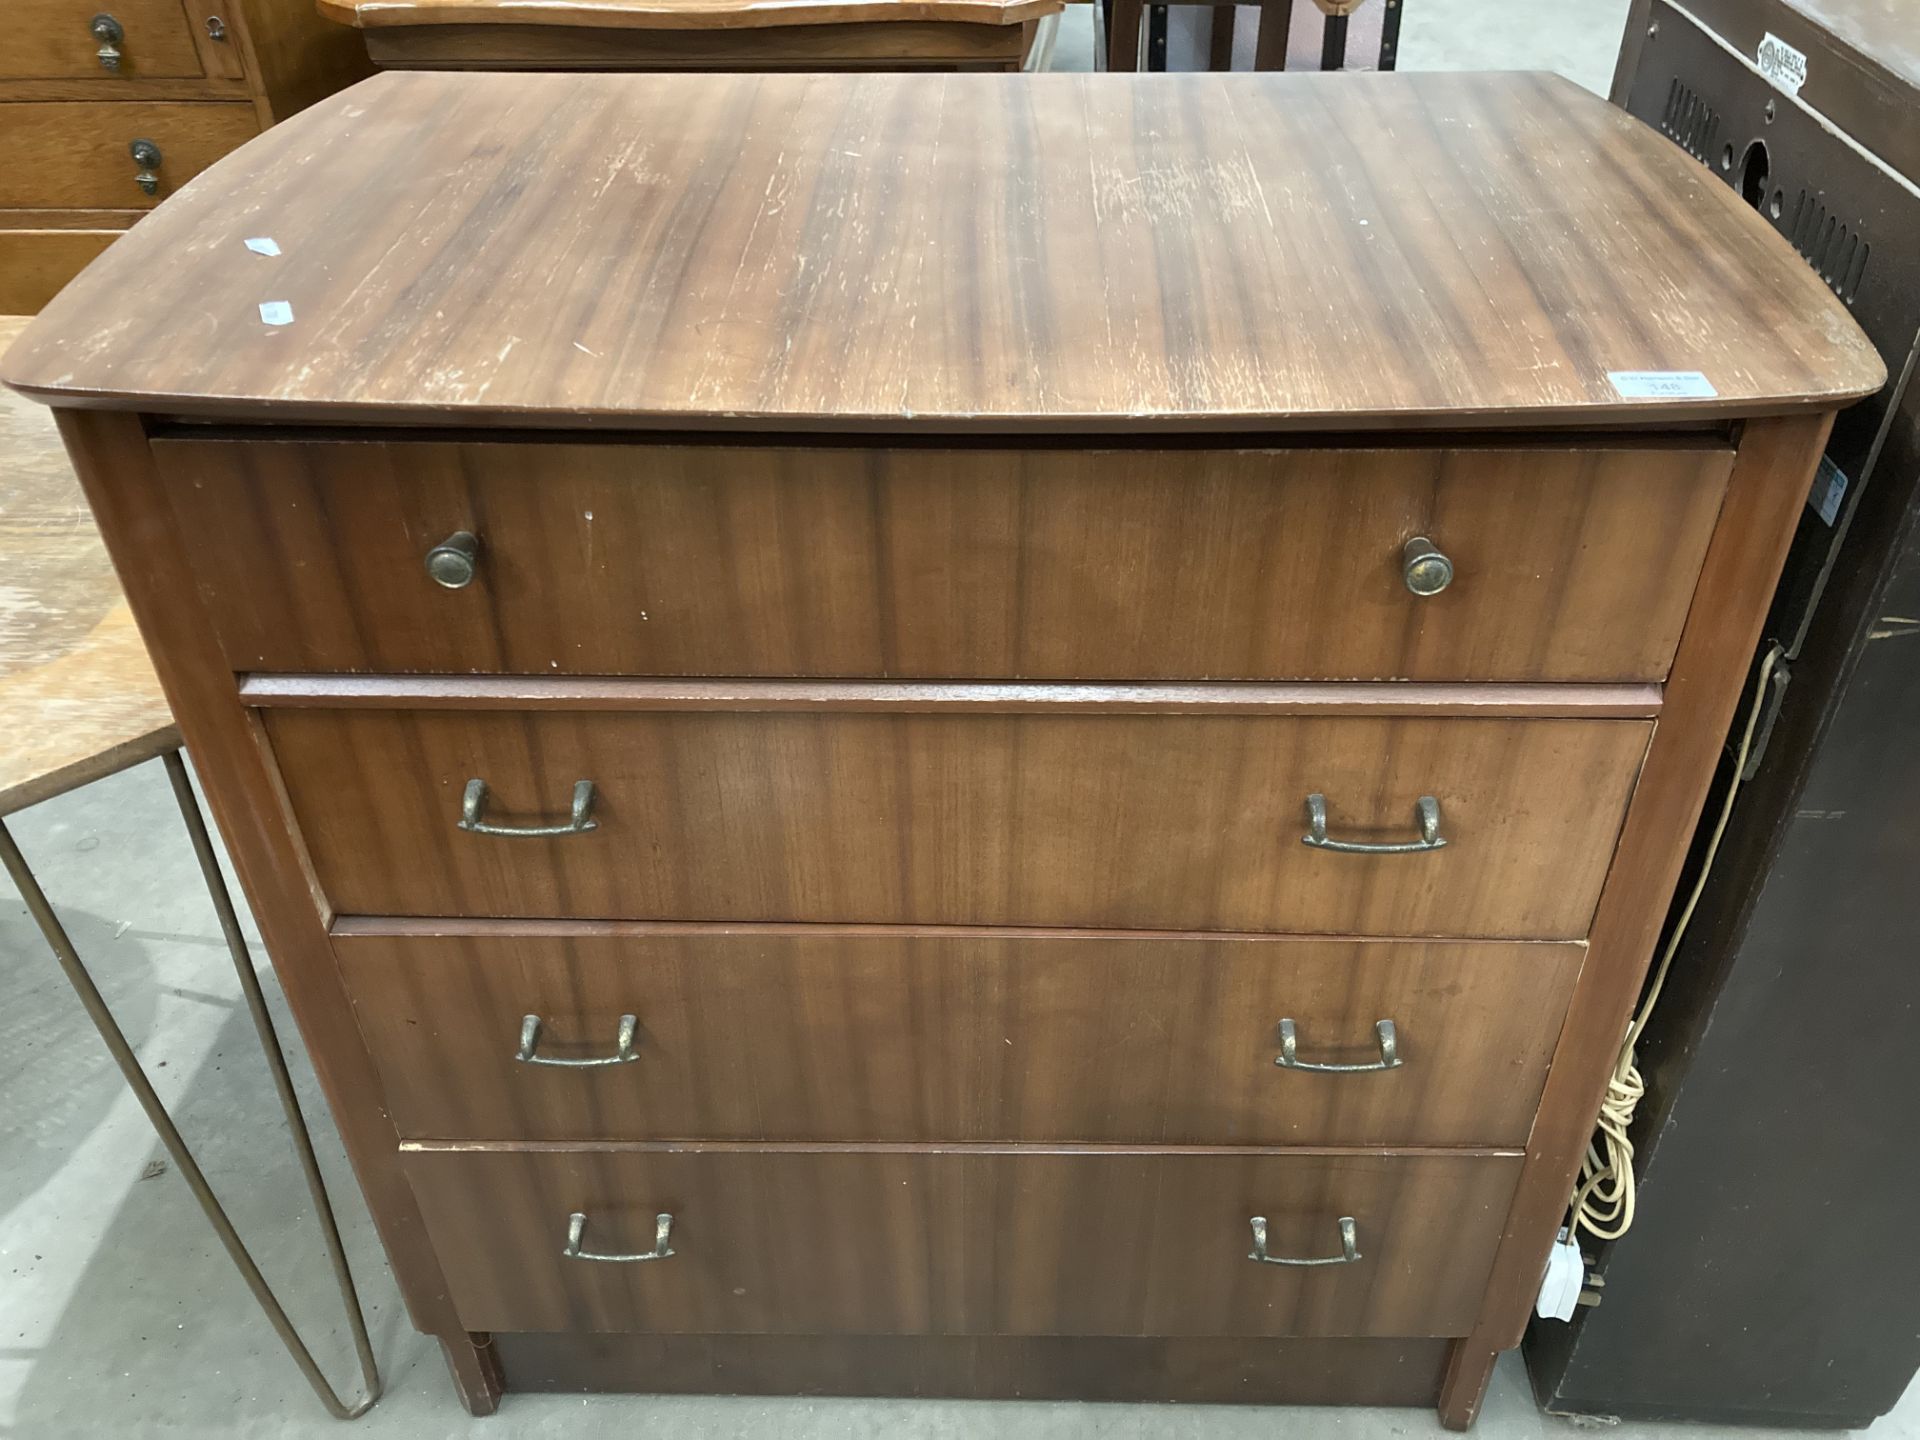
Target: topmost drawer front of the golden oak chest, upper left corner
57, 41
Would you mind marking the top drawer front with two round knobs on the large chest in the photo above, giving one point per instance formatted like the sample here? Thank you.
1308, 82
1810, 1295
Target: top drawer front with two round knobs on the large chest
948, 564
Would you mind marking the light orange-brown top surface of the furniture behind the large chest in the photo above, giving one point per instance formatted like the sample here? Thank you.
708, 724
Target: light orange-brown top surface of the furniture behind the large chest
677, 14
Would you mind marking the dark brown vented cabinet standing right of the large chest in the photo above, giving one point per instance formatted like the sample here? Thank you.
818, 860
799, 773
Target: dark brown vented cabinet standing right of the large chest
1767, 1276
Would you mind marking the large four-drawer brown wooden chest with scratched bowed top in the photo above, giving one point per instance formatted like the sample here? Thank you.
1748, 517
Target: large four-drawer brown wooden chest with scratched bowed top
1036, 759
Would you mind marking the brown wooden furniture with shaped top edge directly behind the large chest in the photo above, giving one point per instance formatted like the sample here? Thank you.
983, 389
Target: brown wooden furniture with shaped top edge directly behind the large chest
648, 36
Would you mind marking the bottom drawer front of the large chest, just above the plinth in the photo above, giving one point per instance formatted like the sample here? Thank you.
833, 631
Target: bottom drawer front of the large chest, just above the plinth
865, 1241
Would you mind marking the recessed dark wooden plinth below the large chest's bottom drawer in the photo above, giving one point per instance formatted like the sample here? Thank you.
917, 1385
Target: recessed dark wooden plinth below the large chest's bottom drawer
1209, 1372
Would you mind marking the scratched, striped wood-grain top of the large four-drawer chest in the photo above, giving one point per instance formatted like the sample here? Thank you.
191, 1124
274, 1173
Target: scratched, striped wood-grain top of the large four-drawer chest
1266, 252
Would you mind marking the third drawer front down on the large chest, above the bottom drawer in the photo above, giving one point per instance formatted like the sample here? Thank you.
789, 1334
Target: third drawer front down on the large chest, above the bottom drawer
884, 1036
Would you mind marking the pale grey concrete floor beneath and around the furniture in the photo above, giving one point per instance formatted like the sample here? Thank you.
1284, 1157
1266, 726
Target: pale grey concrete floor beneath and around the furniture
118, 1312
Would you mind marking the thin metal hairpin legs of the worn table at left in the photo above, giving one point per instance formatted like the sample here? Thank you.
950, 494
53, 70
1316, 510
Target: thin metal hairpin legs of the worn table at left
170, 1136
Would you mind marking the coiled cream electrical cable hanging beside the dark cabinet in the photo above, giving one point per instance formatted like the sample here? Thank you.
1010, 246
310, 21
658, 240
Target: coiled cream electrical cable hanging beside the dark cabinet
1604, 1195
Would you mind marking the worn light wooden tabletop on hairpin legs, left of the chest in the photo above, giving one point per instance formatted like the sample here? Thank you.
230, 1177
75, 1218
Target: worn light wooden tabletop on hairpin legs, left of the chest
78, 694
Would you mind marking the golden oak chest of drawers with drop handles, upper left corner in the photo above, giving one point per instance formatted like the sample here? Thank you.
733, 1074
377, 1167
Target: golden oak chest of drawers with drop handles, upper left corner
110, 107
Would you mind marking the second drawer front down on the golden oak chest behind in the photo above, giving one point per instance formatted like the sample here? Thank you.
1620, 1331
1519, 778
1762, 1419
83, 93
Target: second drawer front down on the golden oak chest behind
80, 156
